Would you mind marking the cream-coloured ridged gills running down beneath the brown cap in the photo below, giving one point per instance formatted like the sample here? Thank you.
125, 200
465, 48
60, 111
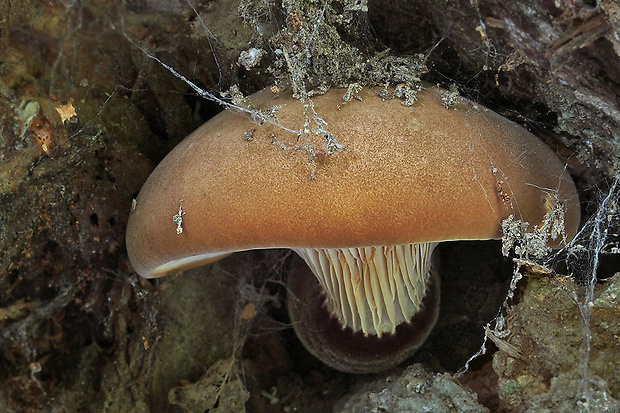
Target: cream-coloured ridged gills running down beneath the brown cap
372, 289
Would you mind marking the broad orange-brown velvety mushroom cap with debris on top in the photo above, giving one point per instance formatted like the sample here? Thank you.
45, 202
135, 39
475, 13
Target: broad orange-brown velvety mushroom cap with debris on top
424, 173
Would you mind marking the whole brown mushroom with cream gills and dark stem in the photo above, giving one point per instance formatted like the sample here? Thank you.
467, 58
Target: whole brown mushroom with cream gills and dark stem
365, 219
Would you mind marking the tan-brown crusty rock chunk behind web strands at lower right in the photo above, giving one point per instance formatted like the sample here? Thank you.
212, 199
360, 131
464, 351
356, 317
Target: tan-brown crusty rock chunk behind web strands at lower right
548, 328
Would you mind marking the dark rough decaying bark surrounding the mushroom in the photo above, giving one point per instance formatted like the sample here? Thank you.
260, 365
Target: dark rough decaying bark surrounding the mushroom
85, 114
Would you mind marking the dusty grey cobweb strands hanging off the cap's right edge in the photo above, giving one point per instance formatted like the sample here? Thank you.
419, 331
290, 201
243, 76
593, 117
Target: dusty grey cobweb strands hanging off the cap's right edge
599, 236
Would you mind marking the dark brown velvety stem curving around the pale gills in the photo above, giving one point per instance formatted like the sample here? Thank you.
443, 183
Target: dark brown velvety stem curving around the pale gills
343, 349
